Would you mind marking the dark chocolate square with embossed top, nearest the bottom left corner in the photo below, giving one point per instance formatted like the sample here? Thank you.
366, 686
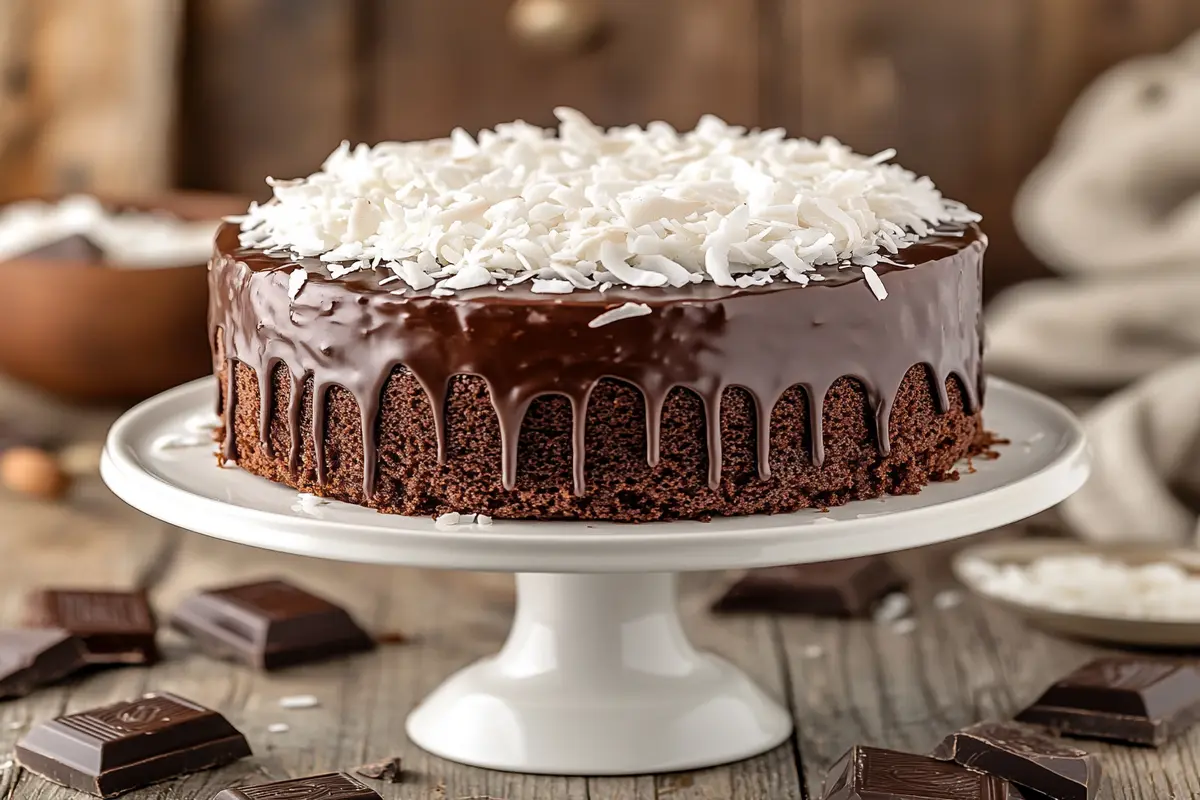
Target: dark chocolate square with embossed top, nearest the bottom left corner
130, 745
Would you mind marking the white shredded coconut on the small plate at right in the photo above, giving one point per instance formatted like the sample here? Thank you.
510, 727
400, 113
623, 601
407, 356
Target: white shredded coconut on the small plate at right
1095, 586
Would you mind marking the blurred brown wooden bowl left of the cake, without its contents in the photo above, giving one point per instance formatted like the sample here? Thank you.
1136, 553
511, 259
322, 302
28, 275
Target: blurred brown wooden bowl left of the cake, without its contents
97, 334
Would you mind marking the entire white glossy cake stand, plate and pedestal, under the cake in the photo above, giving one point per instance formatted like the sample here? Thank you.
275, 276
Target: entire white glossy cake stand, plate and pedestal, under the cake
597, 677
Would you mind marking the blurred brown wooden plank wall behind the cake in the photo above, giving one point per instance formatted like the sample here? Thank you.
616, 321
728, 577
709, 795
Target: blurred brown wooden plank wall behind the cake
969, 92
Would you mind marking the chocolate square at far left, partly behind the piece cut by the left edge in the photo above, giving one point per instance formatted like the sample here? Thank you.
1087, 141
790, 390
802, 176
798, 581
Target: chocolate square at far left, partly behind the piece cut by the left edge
116, 627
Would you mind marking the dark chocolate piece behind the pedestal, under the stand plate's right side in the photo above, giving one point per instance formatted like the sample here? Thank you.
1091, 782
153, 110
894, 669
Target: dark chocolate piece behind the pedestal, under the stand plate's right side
848, 588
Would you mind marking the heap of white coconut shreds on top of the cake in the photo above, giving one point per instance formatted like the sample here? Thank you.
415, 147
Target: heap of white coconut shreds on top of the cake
584, 209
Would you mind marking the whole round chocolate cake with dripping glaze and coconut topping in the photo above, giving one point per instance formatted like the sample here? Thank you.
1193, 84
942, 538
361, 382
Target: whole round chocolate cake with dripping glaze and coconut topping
632, 324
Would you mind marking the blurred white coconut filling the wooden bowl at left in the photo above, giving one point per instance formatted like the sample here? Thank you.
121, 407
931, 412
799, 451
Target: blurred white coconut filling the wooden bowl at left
128, 239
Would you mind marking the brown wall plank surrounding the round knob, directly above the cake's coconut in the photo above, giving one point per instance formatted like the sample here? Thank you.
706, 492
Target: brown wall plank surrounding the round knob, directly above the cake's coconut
442, 64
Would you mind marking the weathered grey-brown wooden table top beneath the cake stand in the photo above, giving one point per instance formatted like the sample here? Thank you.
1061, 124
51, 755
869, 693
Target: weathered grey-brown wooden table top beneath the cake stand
847, 683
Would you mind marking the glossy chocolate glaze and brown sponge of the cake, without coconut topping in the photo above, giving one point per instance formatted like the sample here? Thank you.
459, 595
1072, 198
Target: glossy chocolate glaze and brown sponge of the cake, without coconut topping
511, 405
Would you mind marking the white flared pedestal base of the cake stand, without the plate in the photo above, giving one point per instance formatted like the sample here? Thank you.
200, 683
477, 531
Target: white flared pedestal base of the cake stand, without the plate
597, 677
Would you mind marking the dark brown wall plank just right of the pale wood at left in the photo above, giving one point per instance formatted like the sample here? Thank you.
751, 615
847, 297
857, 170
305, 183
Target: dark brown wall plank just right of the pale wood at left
269, 89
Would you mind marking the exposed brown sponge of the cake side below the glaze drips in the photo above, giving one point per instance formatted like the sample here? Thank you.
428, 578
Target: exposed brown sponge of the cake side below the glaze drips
622, 486
